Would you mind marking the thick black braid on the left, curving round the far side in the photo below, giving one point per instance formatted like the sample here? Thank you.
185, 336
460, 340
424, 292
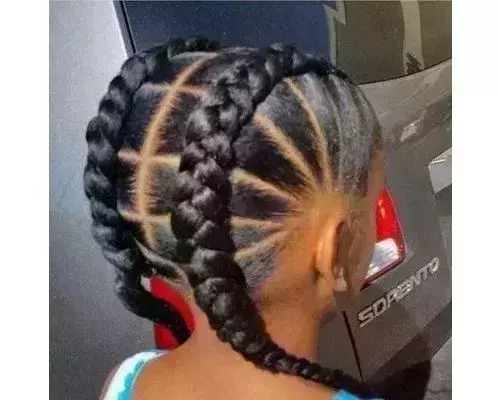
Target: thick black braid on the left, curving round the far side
104, 140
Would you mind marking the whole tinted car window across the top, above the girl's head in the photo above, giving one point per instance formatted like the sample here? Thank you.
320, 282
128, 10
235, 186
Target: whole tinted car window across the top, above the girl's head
371, 40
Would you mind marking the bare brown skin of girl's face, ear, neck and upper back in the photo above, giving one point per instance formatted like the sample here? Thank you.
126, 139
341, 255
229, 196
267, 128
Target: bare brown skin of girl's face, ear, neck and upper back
303, 289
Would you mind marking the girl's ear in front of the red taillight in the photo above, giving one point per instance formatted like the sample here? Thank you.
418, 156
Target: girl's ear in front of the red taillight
330, 271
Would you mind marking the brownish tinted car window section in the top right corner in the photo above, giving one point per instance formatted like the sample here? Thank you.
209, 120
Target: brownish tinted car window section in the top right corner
380, 40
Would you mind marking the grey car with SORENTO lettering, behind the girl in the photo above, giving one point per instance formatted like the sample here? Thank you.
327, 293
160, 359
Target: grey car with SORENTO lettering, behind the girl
402, 59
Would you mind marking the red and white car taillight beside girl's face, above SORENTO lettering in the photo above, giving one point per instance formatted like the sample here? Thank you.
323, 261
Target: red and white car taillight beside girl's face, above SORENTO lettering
389, 248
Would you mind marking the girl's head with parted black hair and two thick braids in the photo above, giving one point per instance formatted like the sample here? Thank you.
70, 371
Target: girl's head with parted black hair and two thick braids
248, 177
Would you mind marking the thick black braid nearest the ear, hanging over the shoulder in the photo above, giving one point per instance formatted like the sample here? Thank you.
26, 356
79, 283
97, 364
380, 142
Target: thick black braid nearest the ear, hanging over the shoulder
200, 220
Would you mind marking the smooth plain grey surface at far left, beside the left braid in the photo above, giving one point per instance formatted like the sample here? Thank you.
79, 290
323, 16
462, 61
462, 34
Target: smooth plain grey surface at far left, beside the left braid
90, 331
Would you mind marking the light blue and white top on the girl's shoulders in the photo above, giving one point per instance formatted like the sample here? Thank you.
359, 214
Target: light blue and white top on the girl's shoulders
122, 383
